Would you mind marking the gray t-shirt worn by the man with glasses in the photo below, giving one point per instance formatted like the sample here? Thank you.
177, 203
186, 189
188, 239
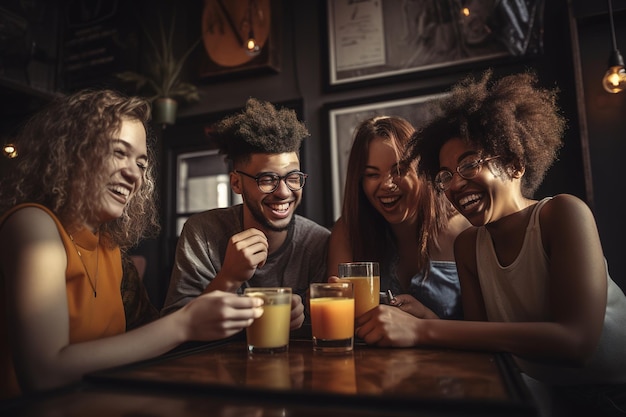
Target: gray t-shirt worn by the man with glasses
202, 246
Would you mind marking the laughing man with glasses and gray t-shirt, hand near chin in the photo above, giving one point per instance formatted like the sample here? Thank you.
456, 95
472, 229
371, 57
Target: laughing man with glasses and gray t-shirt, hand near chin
261, 242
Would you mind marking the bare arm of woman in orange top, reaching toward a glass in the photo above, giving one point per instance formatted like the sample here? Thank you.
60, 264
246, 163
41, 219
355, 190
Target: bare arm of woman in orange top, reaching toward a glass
34, 261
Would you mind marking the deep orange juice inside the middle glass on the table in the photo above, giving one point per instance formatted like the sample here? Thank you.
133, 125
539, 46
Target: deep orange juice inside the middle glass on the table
332, 318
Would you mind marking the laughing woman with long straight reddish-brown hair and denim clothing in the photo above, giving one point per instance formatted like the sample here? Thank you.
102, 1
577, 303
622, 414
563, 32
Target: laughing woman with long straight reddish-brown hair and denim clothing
393, 216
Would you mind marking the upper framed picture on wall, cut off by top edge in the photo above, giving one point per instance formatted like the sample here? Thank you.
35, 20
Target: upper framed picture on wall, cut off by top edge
371, 40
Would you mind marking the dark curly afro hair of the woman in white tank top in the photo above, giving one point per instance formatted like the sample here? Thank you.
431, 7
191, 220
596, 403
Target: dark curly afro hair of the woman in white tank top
510, 117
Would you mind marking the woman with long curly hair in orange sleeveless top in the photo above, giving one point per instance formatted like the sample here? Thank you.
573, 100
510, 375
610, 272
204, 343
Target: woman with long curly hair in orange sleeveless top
81, 193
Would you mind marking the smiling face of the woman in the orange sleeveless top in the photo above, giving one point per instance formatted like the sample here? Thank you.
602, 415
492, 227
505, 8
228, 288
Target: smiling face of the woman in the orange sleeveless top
126, 167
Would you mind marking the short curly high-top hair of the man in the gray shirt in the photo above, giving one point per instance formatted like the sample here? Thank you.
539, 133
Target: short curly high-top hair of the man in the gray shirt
259, 128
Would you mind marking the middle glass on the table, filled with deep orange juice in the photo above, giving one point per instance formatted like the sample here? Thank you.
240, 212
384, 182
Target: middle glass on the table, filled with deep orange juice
332, 316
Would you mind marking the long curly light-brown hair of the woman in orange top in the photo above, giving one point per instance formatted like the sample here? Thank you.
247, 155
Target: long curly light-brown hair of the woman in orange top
63, 152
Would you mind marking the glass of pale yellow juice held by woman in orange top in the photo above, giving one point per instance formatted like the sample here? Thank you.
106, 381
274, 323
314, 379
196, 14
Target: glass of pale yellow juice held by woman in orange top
270, 332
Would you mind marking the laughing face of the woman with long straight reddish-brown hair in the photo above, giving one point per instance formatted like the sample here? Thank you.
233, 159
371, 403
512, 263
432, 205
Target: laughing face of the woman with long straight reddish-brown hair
392, 194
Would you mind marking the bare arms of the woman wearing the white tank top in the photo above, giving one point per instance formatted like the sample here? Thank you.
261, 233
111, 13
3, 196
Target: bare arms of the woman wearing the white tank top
577, 295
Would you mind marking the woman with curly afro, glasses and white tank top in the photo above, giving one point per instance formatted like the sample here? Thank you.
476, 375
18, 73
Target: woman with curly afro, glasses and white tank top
534, 280
